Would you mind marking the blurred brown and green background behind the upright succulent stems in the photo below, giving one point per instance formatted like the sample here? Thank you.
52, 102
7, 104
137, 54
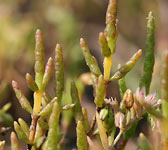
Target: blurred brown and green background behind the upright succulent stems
64, 22
